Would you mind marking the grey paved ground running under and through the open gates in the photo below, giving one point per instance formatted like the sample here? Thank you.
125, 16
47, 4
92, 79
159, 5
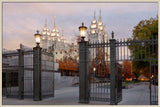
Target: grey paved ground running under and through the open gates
138, 95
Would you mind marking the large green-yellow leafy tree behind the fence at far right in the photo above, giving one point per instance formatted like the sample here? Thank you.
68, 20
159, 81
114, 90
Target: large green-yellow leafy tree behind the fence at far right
146, 29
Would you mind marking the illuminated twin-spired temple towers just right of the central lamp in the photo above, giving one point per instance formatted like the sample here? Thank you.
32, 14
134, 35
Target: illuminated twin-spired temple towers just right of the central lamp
97, 33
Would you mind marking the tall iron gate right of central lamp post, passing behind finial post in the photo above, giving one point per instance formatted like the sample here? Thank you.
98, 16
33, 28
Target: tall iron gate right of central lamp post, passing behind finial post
99, 73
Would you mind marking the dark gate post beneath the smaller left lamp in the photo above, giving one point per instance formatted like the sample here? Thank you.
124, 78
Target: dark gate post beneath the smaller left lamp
37, 73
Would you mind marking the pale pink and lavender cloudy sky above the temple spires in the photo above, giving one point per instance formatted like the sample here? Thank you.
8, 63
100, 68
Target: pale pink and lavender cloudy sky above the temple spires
21, 20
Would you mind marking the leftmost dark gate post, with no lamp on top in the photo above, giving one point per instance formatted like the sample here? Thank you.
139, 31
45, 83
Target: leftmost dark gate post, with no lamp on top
21, 74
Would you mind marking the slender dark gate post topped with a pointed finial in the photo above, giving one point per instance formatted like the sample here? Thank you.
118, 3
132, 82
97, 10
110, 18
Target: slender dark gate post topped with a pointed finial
113, 90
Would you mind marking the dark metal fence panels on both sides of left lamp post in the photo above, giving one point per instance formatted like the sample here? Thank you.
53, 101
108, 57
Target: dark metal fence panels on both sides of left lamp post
18, 68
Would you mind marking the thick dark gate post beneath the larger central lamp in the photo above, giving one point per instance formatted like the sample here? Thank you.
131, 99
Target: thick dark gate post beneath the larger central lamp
83, 73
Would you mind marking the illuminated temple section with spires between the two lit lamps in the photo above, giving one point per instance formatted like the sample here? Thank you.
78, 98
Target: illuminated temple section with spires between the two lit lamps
62, 49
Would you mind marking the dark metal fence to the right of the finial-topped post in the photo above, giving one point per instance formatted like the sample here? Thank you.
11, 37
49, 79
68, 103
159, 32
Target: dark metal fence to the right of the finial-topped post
143, 53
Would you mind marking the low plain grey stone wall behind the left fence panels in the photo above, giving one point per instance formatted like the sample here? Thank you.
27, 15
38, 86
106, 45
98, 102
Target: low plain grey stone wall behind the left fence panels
47, 81
